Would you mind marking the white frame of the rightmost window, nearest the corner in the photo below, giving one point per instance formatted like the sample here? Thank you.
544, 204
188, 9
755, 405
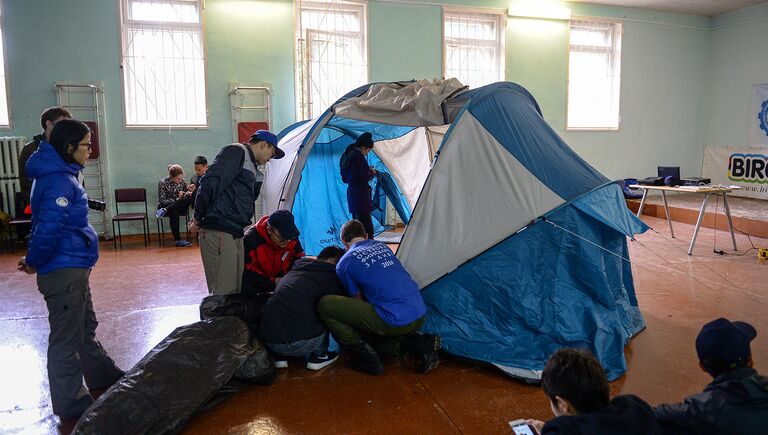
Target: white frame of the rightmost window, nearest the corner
615, 79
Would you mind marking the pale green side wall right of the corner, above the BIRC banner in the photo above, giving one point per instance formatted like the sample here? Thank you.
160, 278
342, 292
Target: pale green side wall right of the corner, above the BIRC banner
739, 60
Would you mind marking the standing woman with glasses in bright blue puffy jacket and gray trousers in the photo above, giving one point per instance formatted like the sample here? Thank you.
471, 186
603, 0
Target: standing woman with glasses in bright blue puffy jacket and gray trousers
63, 247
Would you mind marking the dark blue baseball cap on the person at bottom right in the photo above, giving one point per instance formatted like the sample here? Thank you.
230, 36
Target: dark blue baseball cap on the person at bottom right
722, 344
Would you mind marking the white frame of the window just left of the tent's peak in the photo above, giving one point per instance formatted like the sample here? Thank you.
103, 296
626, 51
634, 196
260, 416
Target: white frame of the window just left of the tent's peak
304, 33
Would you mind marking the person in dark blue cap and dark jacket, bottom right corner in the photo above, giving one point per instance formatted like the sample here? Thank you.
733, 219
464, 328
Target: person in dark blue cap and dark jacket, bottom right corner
737, 399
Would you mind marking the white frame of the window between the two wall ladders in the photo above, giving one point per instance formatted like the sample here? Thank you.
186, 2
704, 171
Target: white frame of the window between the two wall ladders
199, 28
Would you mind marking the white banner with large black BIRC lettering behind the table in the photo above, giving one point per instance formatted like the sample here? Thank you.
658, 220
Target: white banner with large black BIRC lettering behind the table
744, 167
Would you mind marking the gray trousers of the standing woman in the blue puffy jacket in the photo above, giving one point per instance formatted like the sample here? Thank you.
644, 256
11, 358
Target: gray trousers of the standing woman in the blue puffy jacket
73, 351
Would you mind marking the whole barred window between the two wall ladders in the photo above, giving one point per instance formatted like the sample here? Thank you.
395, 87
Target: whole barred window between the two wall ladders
163, 63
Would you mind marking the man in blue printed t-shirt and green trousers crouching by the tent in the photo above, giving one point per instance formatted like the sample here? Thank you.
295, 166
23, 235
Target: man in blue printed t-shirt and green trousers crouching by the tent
385, 306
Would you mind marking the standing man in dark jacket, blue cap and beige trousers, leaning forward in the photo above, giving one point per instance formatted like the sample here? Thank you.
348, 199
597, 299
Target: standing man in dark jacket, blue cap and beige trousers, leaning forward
225, 204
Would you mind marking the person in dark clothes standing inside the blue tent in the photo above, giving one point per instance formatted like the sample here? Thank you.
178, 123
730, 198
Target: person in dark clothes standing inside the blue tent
356, 173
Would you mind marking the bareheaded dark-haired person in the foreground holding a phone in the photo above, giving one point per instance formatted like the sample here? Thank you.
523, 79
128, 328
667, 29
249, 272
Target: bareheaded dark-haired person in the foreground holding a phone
578, 393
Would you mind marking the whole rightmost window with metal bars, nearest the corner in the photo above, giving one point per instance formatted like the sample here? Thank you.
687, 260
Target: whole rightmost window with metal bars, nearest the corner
594, 75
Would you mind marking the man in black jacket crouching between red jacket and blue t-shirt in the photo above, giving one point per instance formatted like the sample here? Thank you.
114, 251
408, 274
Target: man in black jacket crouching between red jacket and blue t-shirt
290, 325
